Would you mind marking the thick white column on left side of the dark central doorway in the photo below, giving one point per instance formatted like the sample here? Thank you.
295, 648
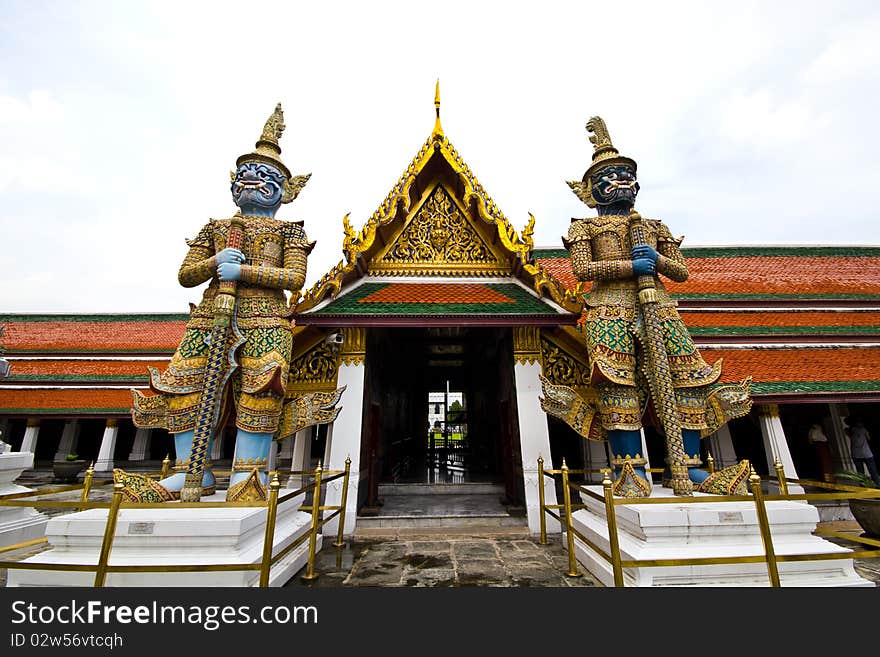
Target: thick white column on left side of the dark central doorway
345, 442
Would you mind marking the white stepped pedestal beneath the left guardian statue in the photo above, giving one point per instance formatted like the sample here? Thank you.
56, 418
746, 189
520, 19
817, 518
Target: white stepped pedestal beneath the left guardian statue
173, 536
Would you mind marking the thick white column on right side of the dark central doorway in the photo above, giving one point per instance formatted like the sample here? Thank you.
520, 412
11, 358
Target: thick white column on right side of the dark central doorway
534, 440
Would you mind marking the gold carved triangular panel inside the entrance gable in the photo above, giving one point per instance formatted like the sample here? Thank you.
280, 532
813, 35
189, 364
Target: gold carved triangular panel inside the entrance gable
438, 237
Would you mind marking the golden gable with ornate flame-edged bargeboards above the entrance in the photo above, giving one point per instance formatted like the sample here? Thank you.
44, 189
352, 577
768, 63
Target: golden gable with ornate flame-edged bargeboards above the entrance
438, 220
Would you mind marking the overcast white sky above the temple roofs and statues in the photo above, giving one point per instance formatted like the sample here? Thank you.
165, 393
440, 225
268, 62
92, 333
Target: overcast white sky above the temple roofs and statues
752, 122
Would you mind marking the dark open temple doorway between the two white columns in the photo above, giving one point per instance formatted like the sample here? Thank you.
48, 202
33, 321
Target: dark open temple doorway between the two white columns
440, 411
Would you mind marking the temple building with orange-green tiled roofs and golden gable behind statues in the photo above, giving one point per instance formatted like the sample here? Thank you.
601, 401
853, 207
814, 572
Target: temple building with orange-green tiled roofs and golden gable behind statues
439, 321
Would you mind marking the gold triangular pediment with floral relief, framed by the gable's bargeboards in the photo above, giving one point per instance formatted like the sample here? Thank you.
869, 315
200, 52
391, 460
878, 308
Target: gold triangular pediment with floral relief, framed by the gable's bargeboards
438, 237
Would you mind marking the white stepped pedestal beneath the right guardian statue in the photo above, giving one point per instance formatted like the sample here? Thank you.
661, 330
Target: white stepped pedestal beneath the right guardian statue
724, 529
